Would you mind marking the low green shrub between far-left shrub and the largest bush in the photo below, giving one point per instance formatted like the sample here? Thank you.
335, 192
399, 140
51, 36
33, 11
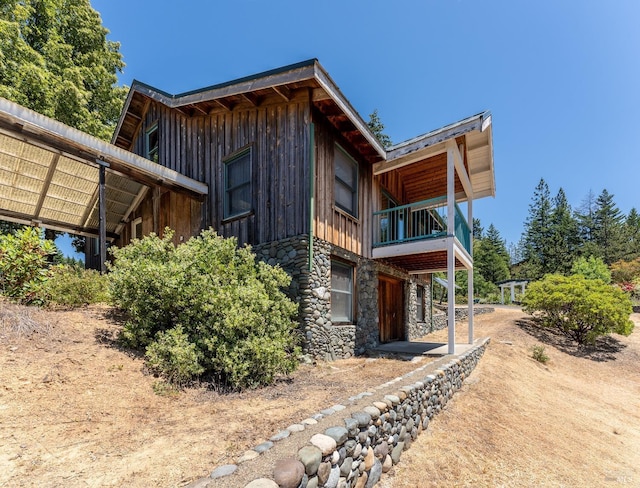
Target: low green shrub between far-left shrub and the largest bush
69, 286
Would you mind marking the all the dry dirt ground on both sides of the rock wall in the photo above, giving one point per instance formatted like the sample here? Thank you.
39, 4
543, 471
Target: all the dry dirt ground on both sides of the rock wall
75, 410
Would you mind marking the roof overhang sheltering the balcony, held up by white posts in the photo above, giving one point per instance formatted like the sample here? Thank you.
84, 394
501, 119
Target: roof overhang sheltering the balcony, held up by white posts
475, 131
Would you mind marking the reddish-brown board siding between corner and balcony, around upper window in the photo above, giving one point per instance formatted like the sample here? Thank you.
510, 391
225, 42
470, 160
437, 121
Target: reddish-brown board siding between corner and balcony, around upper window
331, 223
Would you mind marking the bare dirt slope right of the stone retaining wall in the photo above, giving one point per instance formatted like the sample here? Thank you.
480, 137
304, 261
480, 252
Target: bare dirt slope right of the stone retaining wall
574, 422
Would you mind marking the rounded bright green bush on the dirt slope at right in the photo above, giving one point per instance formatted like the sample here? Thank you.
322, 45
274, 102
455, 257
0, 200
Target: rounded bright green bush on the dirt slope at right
581, 308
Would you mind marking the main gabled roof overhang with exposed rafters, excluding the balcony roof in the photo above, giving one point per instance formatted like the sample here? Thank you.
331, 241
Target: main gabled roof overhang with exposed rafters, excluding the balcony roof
308, 79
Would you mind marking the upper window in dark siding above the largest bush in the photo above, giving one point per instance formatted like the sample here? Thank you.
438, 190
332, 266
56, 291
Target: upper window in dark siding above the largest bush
237, 184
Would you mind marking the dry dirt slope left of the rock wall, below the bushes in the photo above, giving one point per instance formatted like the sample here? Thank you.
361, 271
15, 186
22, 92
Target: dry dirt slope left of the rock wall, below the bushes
77, 411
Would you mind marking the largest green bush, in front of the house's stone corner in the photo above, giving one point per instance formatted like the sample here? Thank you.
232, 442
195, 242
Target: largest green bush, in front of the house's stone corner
207, 308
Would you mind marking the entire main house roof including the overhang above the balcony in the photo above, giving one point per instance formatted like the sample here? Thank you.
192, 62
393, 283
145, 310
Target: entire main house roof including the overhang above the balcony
309, 79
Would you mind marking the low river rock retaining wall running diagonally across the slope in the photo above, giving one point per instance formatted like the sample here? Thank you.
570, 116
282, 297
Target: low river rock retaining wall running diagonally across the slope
356, 452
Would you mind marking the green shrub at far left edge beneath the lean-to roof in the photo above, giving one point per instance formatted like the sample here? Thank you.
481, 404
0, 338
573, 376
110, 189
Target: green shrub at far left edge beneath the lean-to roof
25, 258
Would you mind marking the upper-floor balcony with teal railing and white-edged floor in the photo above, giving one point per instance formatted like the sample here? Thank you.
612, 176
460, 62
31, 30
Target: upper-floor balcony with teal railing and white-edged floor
415, 236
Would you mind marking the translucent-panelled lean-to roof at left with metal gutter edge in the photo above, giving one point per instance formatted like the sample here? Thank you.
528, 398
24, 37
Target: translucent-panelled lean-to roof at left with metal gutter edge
49, 175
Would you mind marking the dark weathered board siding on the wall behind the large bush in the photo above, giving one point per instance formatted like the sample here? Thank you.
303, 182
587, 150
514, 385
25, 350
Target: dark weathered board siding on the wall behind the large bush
278, 138
